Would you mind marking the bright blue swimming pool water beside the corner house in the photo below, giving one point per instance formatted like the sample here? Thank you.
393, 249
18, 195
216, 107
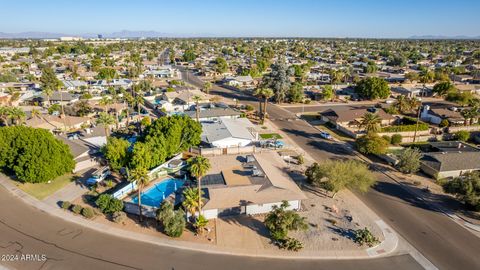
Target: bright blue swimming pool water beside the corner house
156, 194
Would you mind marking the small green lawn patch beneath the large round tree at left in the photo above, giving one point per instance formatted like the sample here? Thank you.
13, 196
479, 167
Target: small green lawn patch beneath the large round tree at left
43, 190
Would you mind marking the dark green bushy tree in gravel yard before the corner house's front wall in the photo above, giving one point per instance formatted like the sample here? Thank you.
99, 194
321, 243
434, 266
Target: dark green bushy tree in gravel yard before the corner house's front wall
279, 221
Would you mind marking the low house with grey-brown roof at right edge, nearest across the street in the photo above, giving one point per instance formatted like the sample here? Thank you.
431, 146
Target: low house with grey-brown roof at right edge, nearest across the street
450, 159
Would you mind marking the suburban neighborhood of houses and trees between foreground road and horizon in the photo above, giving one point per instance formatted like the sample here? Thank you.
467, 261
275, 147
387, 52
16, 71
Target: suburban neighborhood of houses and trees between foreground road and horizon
258, 144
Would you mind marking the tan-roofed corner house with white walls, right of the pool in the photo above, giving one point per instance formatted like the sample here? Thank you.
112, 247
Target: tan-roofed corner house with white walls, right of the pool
249, 185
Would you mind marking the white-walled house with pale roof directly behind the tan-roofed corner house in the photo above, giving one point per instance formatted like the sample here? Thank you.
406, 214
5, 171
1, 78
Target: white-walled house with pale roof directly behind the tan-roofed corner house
229, 133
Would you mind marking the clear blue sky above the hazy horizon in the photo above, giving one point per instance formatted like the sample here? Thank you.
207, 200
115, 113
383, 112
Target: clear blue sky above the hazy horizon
231, 18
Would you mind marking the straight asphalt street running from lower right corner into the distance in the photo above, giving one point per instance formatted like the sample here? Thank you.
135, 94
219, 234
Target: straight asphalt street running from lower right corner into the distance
446, 244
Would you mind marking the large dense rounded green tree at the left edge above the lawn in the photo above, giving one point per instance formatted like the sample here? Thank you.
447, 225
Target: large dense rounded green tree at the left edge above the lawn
33, 155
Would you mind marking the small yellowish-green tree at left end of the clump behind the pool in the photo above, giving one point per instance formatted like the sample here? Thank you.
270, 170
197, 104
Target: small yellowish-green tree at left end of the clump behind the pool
116, 152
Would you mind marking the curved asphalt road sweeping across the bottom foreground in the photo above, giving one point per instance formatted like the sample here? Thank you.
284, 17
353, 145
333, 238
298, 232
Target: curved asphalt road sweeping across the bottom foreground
26, 230
